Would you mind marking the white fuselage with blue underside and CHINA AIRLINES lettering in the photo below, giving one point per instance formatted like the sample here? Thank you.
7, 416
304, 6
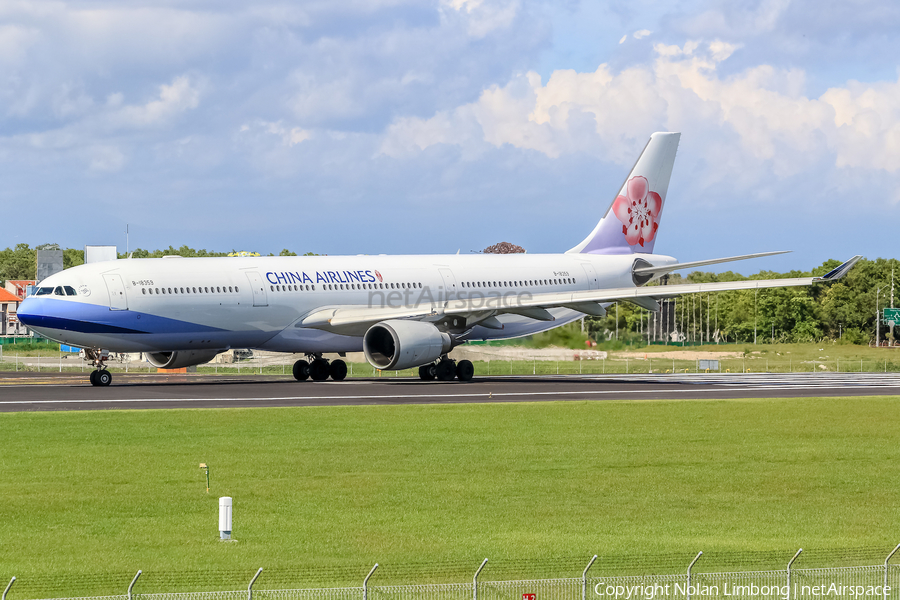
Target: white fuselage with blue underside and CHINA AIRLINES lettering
174, 303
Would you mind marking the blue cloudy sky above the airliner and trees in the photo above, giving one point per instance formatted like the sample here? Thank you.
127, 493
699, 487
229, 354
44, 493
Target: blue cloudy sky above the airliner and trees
404, 127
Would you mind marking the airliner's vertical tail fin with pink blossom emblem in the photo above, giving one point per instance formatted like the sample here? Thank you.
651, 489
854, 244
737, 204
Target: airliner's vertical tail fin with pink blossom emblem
632, 221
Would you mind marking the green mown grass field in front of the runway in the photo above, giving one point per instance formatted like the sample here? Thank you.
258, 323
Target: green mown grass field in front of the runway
321, 494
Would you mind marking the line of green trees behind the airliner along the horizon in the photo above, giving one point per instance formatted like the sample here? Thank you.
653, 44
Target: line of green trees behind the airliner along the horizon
845, 309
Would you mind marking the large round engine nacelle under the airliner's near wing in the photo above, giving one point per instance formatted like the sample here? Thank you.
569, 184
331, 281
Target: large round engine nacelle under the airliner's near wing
400, 344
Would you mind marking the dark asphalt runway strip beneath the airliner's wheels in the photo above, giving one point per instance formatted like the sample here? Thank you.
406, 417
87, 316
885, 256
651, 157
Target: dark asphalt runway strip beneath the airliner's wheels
67, 391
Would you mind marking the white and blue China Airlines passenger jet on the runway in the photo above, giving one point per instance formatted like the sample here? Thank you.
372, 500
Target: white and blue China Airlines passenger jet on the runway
401, 311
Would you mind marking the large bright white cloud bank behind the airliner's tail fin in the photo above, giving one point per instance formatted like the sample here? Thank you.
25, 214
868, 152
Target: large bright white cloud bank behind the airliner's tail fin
779, 130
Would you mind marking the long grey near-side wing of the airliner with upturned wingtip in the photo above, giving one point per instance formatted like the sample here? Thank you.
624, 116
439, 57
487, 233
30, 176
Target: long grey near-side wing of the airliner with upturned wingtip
352, 319
